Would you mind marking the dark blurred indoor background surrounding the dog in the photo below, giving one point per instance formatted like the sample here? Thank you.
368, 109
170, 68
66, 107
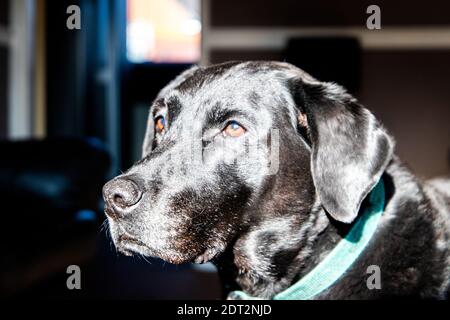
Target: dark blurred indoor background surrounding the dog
74, 103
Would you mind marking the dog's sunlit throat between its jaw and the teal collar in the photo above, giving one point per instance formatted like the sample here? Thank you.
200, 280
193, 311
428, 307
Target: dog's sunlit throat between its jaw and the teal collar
264, 262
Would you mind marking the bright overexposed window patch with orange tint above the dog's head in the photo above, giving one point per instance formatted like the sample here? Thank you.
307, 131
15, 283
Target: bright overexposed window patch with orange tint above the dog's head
163, 31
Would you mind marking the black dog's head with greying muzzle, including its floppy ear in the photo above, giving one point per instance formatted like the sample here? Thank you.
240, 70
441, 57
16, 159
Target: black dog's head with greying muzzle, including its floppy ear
232, 144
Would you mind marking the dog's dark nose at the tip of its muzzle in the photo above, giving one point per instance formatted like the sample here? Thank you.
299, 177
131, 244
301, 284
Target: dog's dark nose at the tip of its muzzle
121, 193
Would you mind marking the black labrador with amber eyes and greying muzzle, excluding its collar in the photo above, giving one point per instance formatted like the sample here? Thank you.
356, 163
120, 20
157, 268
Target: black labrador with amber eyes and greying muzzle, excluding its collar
262, 169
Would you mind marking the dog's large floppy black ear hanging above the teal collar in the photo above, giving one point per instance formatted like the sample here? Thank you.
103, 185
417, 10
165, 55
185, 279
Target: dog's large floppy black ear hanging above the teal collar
350, 149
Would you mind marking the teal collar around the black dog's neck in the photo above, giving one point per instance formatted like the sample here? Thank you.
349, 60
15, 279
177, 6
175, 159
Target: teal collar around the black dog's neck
330, 269
